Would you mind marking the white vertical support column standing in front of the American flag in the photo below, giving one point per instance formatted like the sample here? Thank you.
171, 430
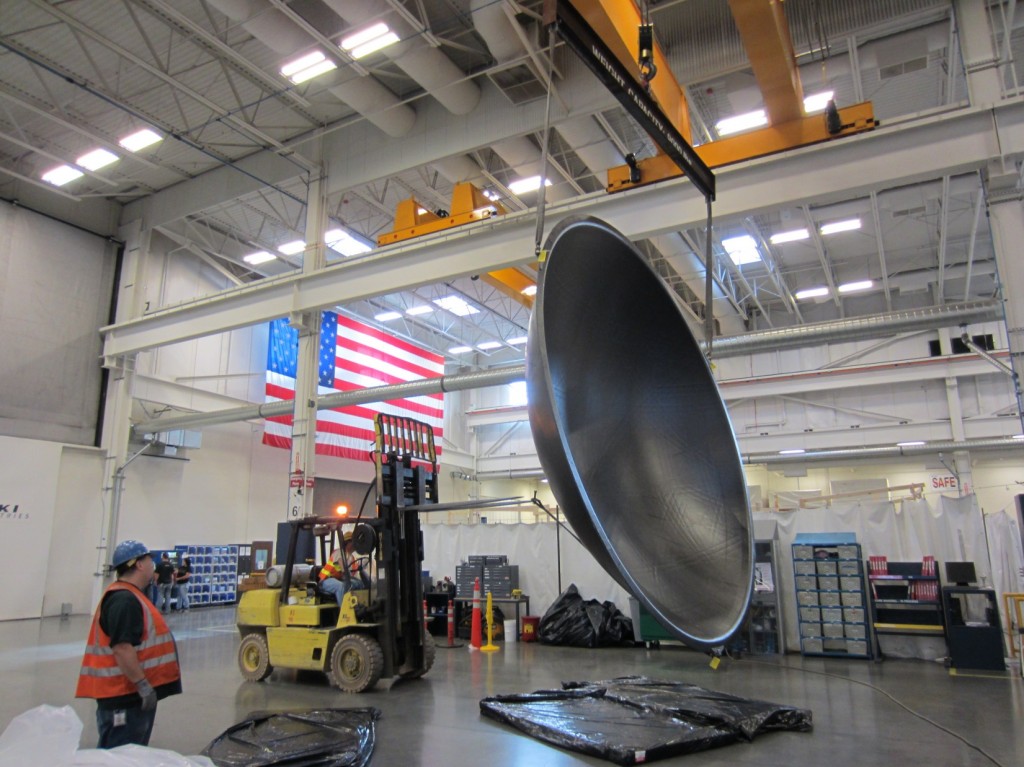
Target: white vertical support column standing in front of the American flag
304, 461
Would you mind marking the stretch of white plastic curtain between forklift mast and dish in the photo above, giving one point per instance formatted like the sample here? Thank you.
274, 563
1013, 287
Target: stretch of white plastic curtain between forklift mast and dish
533, 548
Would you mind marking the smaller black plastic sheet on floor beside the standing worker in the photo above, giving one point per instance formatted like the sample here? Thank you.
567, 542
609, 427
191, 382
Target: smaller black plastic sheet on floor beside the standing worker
319, 738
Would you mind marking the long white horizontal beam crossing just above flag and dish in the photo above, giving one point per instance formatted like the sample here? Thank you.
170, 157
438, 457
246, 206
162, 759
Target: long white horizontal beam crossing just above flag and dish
958, 143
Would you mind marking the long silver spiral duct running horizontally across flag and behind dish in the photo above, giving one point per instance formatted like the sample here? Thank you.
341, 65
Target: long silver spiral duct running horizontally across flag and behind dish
845, 330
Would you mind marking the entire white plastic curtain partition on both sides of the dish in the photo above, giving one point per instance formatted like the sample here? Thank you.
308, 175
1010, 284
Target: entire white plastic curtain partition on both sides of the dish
949, 529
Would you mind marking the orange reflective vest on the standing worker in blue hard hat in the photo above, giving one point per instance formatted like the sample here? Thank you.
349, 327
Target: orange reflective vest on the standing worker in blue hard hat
101, 675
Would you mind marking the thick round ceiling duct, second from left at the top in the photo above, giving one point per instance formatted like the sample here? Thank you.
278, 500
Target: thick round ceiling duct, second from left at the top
435, 72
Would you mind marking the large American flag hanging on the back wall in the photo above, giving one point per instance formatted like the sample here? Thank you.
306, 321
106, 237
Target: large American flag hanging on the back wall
353, 356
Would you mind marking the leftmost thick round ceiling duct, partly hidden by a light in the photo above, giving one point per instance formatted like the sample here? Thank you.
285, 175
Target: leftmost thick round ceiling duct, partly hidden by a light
281, 34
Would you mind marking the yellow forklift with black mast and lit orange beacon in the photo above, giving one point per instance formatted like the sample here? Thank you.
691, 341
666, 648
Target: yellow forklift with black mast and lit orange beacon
378, 631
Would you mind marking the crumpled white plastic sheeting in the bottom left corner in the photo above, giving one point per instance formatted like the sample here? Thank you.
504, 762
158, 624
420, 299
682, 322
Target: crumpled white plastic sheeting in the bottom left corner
50, 736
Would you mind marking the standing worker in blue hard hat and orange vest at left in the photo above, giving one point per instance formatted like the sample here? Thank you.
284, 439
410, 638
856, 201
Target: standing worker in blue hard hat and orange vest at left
131, 661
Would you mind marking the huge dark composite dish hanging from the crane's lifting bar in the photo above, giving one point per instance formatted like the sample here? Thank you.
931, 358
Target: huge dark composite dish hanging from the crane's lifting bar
633, 435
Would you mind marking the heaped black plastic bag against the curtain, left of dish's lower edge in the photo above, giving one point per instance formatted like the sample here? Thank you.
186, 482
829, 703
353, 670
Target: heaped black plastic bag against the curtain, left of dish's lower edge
579, 623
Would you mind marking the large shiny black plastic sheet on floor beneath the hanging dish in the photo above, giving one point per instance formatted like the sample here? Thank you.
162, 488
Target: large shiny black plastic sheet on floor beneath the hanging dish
634, 720
